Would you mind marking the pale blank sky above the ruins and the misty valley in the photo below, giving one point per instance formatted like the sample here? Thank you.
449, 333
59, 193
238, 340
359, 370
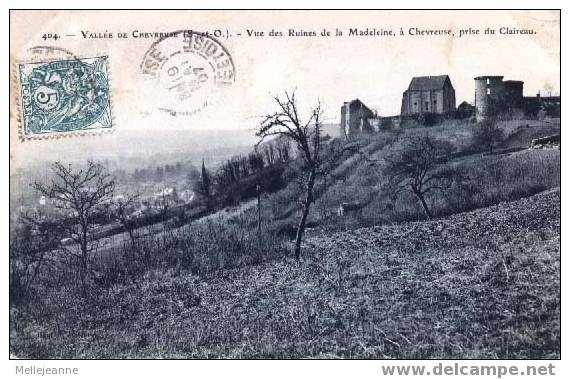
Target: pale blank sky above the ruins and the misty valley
328, 69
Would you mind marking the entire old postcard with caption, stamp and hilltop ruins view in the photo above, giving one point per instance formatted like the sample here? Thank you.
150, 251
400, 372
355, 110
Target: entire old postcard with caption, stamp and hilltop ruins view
309, 184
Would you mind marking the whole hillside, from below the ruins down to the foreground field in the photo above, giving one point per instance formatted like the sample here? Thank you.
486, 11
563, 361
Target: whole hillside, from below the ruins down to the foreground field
482, 280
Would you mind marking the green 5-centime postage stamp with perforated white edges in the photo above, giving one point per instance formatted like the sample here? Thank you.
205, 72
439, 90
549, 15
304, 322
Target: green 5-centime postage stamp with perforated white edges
64, 96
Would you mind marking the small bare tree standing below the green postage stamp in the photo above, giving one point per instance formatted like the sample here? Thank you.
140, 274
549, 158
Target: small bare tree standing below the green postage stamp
81, 195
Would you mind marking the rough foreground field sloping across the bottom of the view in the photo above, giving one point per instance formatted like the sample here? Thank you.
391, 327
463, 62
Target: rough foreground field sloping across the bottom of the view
482, 284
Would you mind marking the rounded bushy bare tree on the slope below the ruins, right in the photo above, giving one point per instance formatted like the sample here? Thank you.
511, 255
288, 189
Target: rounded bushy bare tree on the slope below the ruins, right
417, 168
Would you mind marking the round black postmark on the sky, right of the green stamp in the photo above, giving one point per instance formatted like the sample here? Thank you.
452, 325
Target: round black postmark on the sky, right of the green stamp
186, 69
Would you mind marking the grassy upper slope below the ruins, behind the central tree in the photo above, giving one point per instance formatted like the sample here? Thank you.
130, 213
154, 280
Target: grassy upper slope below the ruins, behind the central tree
489, 178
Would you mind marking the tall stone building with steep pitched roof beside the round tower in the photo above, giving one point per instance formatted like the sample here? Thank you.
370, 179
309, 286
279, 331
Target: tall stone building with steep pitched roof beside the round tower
429, 94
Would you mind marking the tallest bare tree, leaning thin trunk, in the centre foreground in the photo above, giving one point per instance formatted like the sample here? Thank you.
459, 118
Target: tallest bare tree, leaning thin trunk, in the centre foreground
306, 136
